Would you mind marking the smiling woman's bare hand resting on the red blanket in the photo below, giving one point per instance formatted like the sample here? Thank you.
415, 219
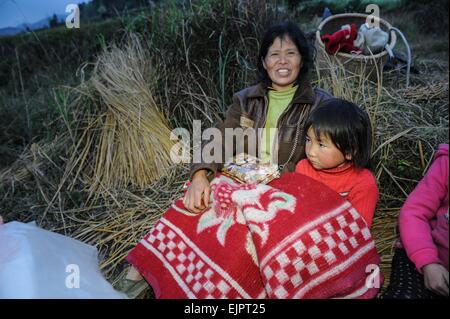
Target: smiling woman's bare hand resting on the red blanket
196, 198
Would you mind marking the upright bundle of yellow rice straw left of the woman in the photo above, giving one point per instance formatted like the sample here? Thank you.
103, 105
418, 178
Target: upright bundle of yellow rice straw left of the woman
128, 134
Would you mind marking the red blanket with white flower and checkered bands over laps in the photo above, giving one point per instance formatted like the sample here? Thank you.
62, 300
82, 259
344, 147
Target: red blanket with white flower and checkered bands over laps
293, 238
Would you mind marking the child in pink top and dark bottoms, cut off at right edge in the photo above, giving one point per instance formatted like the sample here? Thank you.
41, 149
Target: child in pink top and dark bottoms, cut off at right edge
420, 270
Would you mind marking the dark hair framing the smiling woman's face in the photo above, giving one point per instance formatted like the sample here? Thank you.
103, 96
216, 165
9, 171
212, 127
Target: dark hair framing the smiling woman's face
282, 30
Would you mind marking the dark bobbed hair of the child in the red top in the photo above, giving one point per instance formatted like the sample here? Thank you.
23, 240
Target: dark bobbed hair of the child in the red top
348, 127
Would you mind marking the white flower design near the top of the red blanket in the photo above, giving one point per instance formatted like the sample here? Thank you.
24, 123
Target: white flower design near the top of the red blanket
231, 202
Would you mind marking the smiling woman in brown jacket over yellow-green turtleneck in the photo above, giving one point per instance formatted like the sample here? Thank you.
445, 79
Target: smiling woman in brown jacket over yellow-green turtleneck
282, 99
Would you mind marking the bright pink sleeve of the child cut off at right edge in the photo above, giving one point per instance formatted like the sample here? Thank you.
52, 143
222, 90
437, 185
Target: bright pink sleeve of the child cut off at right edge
419, 209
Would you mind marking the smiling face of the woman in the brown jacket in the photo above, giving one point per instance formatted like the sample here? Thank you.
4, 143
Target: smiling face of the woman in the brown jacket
282, 63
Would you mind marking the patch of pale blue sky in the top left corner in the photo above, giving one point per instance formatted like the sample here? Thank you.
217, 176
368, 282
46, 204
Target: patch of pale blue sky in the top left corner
15, 12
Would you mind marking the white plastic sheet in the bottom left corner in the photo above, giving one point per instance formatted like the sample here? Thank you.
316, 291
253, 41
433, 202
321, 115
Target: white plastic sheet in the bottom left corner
35, 263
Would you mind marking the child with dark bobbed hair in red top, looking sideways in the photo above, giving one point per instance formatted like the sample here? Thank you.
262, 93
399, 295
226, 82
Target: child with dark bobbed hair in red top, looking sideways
338, 144
